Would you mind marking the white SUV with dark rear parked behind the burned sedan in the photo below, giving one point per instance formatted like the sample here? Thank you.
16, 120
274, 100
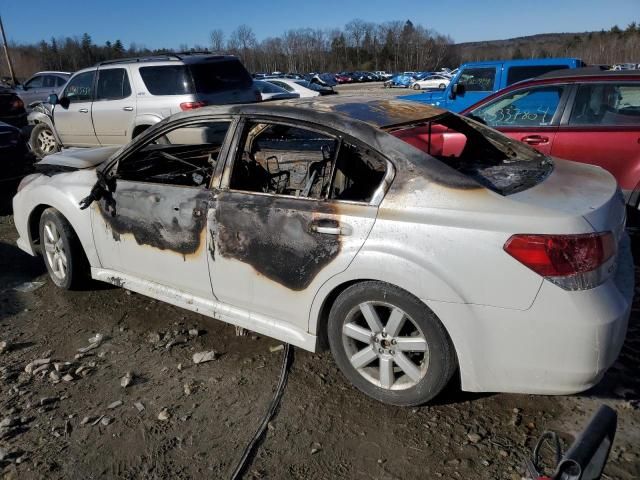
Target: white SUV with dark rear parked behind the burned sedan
116, 100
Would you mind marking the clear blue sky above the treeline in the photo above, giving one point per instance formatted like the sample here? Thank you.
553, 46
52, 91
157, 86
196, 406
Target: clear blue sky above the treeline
169, 24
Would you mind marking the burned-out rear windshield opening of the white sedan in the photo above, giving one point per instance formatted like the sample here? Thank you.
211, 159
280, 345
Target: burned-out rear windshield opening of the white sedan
493, 160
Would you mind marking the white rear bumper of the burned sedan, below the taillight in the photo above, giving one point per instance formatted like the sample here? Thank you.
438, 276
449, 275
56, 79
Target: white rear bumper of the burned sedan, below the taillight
563, 344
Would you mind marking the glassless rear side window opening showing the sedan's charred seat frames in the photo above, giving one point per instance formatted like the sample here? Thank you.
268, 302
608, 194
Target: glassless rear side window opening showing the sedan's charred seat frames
285, 160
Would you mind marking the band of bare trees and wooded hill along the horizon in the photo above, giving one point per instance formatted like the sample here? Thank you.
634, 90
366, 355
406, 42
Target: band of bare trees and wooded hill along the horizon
392, 46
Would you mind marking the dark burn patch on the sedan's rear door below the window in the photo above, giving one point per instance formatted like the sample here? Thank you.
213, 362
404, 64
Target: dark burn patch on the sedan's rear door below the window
275, 236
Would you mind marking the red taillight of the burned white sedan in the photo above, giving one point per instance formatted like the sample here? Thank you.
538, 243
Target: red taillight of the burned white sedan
562, 255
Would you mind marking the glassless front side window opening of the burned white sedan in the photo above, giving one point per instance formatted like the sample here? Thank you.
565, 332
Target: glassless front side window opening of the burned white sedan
186, 156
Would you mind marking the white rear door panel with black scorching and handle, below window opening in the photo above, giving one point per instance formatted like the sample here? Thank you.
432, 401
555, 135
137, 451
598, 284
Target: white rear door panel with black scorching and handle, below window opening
271, 255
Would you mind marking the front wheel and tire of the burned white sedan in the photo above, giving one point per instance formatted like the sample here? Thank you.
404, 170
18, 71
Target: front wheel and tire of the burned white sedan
62, 251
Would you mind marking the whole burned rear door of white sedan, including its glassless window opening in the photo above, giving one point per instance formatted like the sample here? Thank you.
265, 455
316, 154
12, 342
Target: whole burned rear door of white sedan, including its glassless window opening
296, 206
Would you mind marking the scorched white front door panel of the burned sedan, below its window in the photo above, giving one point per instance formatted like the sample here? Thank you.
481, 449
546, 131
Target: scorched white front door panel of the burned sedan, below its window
155, 232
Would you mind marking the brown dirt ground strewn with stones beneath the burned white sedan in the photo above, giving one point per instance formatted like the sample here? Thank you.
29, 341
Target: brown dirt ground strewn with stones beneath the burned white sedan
178, 420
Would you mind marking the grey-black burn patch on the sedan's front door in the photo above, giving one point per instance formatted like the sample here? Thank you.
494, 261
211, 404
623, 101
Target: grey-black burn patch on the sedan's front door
160, 216
